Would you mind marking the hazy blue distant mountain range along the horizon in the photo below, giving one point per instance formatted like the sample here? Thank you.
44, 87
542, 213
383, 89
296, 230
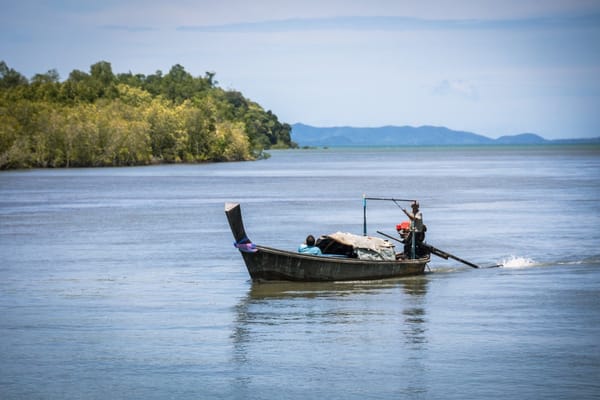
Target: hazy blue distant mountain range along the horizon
306, 135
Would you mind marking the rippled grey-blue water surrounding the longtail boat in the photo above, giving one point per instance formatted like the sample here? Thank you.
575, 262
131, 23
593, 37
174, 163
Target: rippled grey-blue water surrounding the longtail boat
124, 283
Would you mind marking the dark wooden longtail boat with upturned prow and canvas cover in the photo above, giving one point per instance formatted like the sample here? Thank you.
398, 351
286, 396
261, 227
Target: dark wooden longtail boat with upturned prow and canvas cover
270, 264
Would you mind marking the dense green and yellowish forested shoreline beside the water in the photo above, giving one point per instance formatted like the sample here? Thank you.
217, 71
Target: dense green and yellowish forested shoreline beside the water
101, 119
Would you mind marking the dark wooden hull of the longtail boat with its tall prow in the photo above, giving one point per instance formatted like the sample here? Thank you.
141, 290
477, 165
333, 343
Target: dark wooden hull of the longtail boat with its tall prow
265, 263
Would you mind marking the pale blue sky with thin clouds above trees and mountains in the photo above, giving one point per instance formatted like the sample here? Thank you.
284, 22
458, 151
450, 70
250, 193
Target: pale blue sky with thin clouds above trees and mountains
490, 67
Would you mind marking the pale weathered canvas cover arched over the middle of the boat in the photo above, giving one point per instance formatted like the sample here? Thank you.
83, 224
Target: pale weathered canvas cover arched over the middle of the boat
362, 247
